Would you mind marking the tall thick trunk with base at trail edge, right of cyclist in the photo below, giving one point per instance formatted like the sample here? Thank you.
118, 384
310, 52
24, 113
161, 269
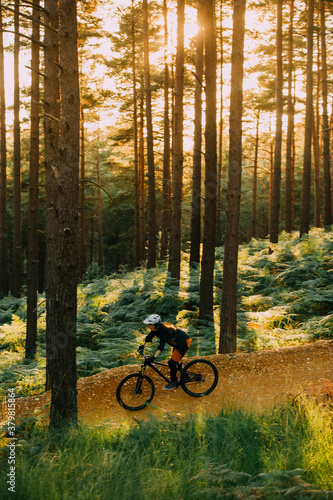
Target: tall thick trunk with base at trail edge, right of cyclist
228, 330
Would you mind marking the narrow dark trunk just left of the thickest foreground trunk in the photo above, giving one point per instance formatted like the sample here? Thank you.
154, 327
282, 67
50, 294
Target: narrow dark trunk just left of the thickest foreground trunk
32, 254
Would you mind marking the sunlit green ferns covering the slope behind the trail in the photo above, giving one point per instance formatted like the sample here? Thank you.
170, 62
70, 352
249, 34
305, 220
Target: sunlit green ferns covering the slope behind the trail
284, 298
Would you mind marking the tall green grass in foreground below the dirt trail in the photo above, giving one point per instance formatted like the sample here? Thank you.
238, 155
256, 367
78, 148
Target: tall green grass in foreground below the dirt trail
286, 452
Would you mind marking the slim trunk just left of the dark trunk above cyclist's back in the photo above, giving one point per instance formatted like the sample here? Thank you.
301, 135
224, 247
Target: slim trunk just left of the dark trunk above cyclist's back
166, 190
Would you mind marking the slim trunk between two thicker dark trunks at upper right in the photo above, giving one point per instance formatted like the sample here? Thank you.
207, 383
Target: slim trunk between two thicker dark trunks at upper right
290, 126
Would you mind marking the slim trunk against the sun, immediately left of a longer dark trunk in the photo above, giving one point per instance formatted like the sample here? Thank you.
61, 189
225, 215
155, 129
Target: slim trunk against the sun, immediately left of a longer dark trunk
197, 145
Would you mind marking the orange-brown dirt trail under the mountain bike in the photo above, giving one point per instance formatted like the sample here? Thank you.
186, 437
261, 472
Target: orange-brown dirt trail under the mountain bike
251, 381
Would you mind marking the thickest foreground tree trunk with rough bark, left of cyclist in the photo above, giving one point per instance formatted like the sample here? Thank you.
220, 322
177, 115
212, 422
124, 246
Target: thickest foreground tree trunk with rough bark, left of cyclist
63, 252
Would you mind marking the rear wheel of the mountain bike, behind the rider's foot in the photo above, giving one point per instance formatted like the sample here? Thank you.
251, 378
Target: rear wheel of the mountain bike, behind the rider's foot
200, 377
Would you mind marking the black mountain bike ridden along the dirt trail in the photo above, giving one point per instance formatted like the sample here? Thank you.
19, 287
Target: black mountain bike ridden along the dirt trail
198, 378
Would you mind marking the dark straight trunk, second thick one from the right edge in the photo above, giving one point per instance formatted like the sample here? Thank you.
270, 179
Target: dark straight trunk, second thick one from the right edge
306, 182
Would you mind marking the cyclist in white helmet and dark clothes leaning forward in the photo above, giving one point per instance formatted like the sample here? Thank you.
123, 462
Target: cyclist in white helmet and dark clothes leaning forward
167, 334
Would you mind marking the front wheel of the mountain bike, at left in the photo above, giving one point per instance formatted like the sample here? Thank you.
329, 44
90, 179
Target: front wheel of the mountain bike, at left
135, 391
